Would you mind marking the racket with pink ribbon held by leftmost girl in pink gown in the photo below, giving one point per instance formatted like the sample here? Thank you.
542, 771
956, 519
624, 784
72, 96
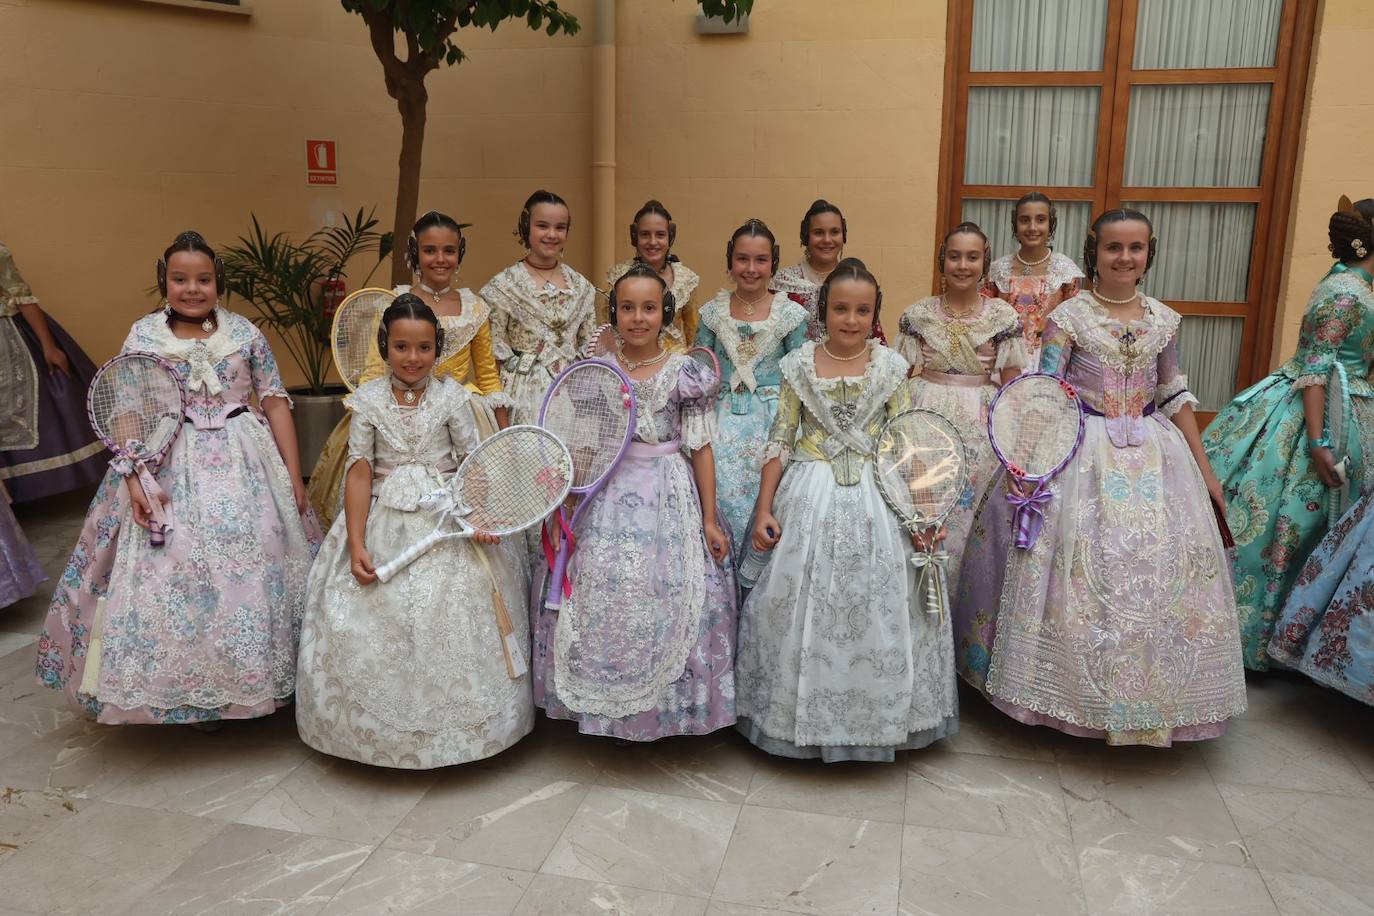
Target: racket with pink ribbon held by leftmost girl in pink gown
137, 404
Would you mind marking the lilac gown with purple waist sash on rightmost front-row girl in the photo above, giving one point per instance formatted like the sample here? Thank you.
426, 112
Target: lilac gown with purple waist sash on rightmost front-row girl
1120, 621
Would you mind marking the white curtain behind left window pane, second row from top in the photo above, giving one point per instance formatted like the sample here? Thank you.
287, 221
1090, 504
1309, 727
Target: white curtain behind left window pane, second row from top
1033, 137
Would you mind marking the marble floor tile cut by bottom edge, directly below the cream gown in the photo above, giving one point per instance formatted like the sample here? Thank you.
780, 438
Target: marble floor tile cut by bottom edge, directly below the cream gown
396, 882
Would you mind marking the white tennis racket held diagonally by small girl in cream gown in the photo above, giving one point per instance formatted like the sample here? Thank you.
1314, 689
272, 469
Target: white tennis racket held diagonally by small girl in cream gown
509, 483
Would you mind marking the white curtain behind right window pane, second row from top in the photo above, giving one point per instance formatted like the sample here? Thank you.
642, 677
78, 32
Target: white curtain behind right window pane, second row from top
1197, 135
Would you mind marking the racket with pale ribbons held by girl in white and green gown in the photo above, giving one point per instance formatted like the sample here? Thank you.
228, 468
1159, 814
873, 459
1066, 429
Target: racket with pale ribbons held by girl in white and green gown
923, 472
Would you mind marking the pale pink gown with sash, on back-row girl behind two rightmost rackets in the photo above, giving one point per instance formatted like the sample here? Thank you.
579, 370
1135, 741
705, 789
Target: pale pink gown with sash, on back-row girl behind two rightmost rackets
954, 369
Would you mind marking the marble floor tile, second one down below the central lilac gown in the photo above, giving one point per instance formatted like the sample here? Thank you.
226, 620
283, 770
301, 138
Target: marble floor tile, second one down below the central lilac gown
640, 840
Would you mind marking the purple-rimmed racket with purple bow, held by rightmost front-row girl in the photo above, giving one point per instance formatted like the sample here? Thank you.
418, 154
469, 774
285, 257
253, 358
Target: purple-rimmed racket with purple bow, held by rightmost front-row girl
1035, 425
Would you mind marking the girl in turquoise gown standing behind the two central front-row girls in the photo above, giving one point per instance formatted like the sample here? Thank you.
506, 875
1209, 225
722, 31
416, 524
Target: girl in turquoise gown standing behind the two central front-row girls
750, 329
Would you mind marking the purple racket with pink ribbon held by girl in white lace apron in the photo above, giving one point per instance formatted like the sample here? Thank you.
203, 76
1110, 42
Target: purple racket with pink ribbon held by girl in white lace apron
592, 409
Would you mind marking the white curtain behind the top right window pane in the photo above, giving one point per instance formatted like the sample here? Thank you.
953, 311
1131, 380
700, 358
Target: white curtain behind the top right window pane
1207, 34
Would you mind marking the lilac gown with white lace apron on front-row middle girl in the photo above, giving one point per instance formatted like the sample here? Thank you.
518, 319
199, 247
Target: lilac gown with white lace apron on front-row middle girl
645, 646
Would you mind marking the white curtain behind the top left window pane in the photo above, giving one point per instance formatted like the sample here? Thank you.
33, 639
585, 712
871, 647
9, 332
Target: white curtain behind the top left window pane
1038, 35
